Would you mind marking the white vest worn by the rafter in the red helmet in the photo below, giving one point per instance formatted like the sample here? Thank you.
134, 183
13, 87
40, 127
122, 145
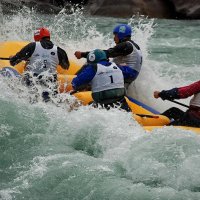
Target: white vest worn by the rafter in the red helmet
43, 59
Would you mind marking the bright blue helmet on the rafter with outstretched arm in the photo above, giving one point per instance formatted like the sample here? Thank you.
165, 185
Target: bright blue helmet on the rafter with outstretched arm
122, 31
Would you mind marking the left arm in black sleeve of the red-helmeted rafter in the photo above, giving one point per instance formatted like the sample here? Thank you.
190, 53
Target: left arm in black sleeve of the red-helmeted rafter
24, 54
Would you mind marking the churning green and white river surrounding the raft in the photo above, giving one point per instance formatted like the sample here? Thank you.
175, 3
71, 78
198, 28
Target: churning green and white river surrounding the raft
48, 153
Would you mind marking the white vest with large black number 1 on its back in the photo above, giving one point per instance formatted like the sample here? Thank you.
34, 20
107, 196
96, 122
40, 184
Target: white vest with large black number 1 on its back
107, 77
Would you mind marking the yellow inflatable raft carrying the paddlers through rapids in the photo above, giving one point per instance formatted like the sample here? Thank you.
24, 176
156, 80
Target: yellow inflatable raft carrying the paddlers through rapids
146, 116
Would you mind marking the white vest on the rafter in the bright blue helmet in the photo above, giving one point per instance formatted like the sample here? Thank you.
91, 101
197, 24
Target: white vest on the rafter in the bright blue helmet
133, 60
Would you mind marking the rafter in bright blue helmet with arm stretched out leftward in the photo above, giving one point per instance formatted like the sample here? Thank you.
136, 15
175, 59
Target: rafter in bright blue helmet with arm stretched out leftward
125, 53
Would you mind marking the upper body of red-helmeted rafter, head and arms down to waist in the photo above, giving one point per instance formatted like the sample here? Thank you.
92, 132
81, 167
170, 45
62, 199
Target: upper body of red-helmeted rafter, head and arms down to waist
44, 50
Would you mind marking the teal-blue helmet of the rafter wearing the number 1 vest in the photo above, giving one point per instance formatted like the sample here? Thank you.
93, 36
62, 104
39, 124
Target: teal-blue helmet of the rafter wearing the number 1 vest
96, 56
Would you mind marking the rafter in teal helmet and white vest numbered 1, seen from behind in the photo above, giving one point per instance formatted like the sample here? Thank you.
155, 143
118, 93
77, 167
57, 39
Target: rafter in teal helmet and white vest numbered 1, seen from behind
105, 78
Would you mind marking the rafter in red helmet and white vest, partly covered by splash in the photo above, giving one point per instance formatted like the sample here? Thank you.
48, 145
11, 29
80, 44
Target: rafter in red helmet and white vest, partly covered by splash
42, 58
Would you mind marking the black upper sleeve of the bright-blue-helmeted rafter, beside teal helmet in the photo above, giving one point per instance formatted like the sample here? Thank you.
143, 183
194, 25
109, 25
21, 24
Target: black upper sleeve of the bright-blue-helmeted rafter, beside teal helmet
121, 49
